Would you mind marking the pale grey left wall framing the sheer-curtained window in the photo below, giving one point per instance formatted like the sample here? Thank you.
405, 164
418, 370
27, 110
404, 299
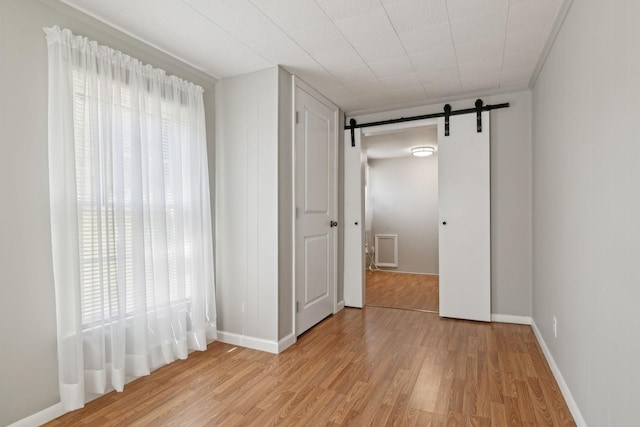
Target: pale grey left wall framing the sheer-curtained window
28, 362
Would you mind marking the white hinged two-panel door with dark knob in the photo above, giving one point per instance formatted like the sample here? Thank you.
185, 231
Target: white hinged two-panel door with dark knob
316, 211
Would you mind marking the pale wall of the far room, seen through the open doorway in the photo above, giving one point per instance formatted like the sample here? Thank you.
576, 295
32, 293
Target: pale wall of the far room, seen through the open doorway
404, 200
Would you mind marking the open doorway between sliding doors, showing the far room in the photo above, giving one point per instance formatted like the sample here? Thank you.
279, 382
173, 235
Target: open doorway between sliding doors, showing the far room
401, 218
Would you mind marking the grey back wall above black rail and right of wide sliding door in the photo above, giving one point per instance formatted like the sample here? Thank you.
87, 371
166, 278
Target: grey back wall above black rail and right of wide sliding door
510, 197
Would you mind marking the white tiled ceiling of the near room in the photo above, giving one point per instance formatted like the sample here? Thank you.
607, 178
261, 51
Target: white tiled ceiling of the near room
364, 55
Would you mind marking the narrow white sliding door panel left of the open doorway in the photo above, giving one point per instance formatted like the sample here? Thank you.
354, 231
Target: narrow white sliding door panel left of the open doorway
354, 265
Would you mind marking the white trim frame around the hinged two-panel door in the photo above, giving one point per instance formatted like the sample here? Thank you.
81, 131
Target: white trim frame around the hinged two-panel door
297, 83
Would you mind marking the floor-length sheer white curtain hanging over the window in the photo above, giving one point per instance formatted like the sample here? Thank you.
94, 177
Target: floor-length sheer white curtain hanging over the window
130, 216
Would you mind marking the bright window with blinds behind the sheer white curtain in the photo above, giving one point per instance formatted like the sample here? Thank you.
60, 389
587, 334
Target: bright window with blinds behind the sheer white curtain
106, 223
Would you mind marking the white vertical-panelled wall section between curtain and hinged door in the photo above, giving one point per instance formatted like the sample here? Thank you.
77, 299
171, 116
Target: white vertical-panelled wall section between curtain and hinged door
247, 208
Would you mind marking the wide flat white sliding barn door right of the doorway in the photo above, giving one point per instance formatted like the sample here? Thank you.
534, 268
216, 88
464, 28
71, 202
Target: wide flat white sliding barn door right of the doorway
464, 205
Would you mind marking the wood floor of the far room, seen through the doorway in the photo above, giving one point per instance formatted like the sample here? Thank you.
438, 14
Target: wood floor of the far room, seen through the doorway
402, 290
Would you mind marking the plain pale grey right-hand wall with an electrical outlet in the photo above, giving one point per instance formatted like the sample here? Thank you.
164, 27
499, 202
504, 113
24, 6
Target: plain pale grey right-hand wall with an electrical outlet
586, 206
